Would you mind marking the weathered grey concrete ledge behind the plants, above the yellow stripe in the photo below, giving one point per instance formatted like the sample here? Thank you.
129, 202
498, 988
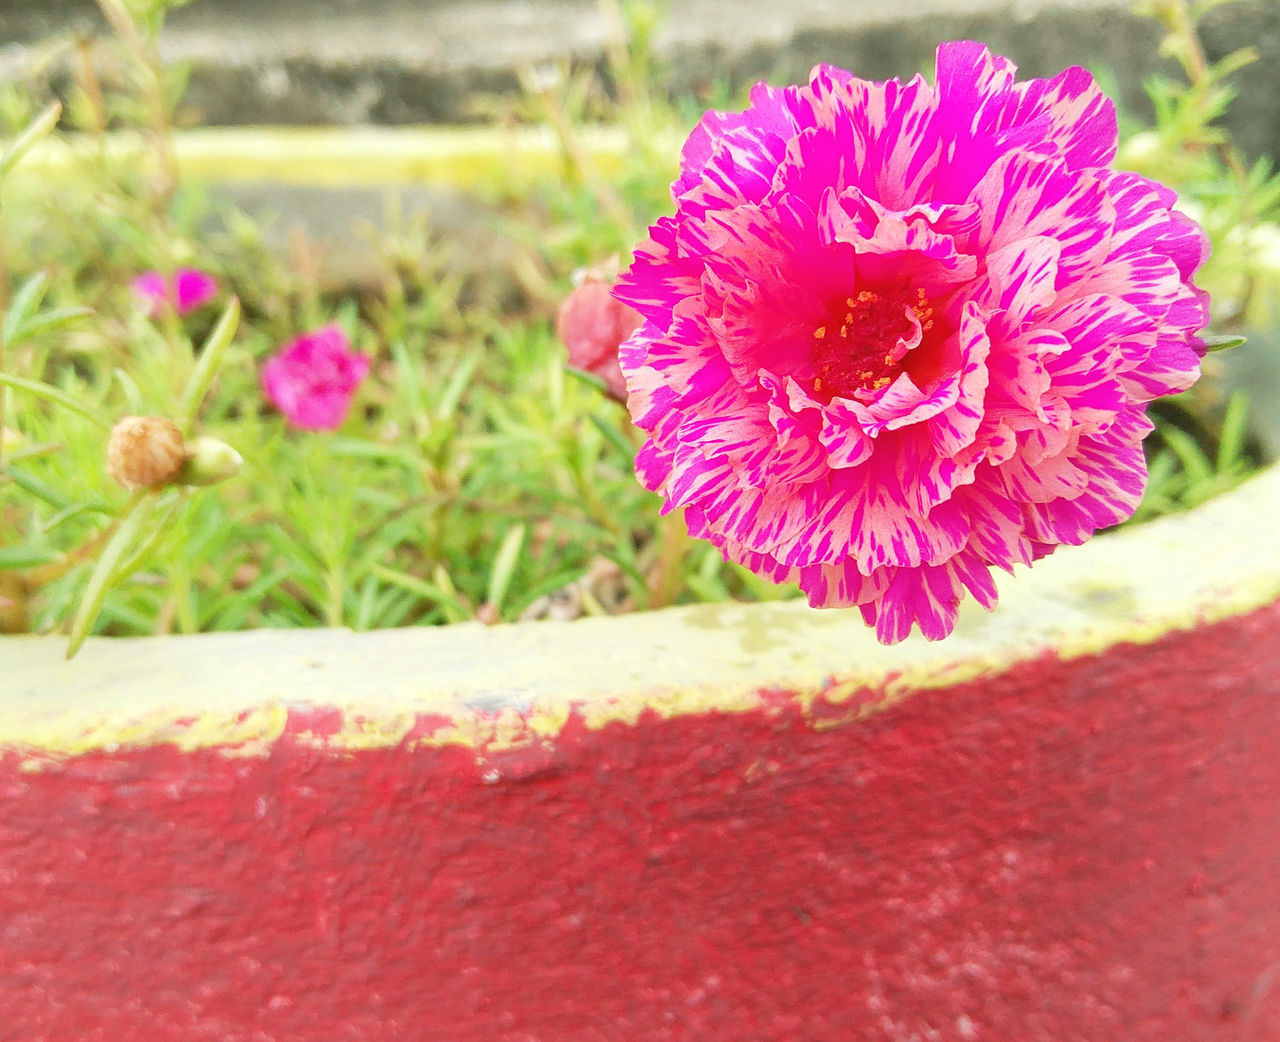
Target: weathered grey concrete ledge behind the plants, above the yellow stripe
410, 62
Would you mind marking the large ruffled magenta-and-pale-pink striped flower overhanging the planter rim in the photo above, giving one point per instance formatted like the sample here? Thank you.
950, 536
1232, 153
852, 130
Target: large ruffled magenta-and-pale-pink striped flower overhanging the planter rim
897, 335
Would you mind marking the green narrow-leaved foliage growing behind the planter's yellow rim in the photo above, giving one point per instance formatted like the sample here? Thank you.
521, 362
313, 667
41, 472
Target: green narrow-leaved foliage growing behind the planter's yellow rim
476, 477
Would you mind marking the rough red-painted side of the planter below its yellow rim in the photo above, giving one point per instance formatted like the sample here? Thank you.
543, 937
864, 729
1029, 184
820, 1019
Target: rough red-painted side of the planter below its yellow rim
1084, 852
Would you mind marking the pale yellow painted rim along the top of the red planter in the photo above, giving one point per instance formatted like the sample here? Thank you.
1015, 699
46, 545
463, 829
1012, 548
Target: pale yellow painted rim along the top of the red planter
505, 687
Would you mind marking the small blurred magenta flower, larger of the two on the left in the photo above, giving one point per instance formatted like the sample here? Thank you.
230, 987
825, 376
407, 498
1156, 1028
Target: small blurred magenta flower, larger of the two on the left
313, 378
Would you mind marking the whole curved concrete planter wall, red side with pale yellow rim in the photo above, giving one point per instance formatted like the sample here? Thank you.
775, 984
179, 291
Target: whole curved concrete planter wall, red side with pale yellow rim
708, 825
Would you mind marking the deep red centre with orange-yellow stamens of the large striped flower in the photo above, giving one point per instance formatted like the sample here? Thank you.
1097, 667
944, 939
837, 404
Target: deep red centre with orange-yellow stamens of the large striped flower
862, 348
